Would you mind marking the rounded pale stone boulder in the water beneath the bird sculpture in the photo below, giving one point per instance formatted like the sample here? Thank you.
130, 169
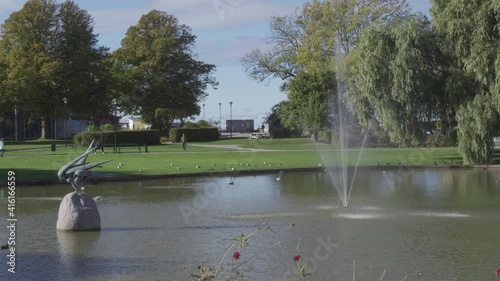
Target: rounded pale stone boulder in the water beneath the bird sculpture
78, 212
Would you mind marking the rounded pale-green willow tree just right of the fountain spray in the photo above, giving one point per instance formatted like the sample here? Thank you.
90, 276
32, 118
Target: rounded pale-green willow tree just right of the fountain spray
397, 75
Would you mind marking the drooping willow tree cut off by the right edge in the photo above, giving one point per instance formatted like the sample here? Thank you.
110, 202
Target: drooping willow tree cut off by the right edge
473, 32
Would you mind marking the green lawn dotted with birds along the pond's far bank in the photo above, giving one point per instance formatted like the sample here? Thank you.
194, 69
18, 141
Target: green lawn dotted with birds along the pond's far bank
34, 161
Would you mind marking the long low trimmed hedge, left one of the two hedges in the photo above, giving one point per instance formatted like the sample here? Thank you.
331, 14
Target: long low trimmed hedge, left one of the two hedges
122, 137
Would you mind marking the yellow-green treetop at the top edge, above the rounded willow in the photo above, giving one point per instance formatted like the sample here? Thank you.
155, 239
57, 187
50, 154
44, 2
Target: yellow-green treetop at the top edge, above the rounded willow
332, 27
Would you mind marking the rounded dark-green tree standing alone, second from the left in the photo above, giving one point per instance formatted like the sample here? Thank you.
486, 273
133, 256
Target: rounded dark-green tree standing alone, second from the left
157, 68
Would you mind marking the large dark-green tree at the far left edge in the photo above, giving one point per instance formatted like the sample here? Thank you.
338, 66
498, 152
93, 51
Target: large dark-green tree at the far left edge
49, 52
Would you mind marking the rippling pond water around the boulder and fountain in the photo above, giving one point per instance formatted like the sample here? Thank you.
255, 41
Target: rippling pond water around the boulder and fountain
426, 224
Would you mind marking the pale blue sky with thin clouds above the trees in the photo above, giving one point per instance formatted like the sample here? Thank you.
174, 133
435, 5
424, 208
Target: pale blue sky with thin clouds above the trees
226, 30
